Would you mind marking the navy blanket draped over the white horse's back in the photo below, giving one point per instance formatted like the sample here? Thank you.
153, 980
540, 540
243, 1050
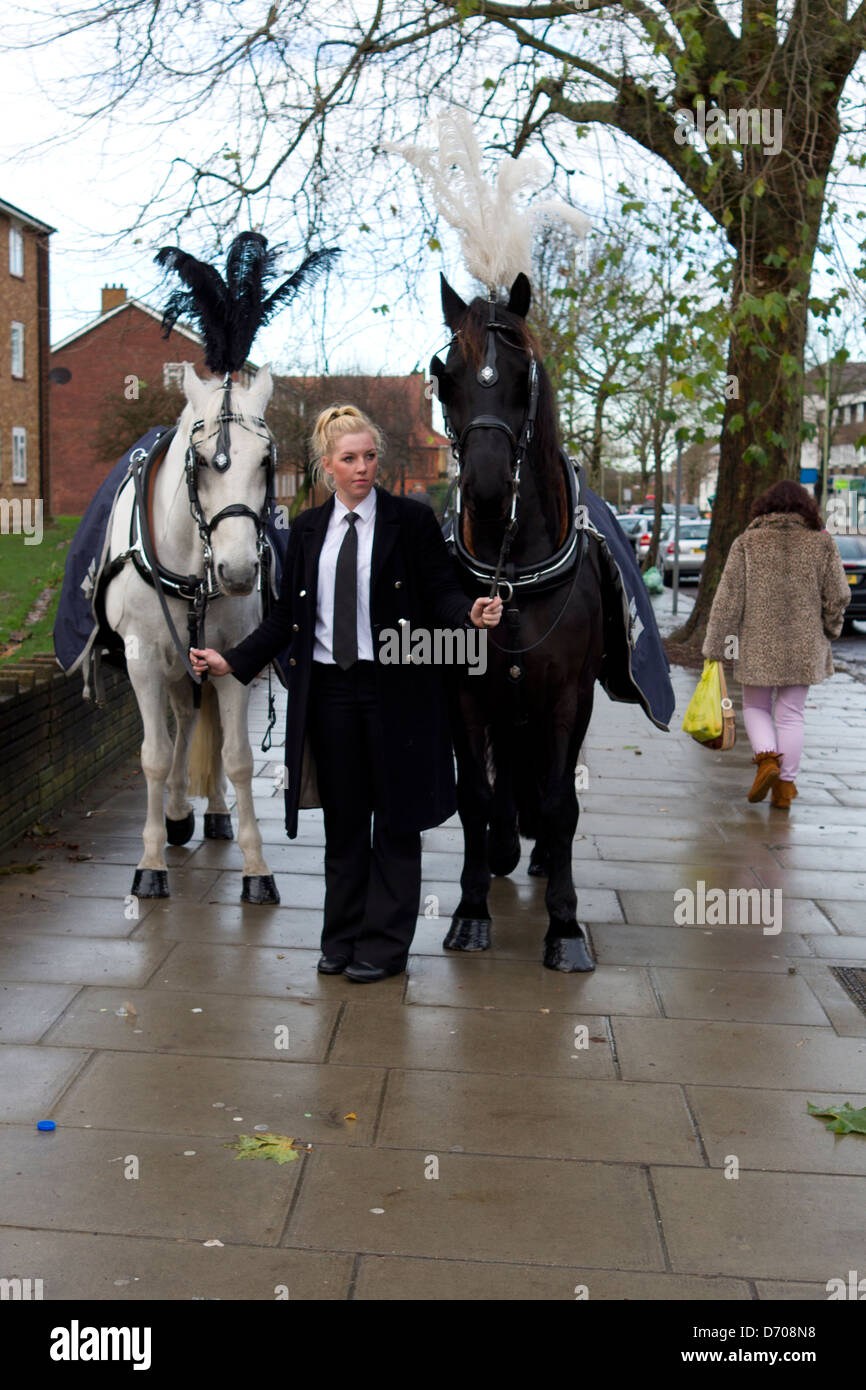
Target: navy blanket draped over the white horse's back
83, 639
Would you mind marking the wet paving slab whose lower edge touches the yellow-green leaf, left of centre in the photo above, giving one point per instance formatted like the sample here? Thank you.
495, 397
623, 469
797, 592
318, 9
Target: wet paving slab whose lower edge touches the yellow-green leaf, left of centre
224, 1097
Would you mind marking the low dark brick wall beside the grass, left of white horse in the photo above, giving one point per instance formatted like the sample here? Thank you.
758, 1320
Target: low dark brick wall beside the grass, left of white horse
54, 743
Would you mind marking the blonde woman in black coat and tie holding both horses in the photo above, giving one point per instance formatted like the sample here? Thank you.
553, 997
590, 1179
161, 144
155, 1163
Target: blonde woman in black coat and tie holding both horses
373, 735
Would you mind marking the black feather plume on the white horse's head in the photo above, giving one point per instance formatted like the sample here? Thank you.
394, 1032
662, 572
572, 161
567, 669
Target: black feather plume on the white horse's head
231, 312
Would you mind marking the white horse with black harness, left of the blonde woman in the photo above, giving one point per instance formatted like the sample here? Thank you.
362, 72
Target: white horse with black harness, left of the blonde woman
197, 767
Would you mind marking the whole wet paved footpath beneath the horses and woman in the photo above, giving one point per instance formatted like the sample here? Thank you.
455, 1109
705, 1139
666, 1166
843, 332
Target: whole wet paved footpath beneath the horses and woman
482, 1128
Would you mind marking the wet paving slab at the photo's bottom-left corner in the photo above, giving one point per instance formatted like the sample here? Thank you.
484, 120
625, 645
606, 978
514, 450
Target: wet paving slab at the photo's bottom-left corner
127, 1268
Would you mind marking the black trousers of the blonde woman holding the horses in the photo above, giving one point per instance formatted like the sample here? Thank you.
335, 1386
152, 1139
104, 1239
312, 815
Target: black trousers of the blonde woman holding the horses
373, 882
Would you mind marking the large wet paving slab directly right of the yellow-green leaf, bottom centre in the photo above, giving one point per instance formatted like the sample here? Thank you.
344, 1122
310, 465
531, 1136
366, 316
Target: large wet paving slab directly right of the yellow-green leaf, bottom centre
477, 1209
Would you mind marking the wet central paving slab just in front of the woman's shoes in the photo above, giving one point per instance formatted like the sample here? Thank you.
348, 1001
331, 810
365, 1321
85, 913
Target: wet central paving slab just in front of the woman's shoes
475, 1040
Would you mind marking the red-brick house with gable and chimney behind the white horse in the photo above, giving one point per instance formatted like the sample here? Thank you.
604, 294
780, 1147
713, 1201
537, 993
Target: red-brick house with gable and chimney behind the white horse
123, 345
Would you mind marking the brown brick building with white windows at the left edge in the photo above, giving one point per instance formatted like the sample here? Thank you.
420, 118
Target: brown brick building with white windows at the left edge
24, 395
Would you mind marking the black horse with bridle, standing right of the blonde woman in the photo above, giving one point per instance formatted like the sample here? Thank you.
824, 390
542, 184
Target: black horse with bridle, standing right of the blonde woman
519, 728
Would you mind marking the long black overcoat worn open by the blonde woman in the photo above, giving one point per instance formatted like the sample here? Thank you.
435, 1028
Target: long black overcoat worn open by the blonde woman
412, 579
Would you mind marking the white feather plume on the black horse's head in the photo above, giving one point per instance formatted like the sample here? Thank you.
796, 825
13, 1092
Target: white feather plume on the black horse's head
496, 231
